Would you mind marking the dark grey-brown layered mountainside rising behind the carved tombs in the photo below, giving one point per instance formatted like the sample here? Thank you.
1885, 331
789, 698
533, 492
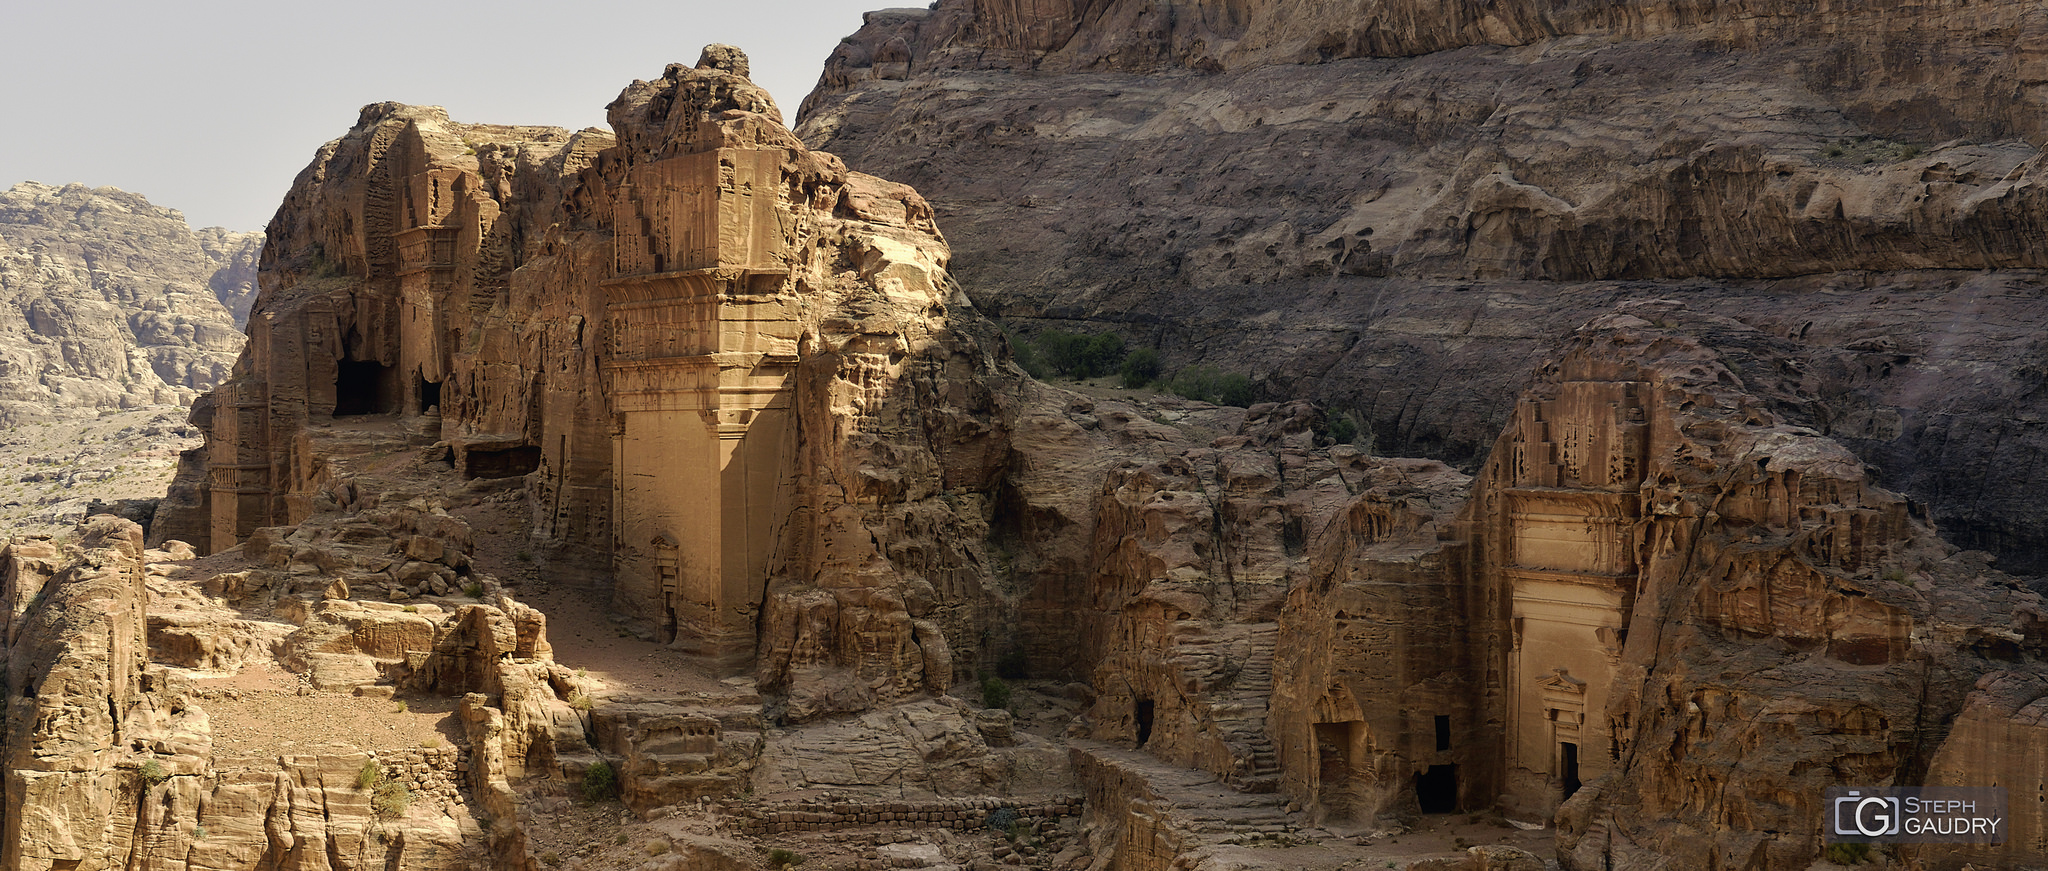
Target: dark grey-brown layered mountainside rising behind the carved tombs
1396, 208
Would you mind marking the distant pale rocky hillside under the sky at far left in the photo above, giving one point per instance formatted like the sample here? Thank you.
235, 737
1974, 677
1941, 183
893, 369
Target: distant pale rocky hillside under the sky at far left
114, 317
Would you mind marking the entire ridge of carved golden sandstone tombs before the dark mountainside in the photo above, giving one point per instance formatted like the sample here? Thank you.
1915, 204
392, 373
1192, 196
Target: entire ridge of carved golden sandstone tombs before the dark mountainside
753, 413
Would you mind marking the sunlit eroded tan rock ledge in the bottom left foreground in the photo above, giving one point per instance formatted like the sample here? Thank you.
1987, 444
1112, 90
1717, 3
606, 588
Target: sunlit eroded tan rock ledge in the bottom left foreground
112, 759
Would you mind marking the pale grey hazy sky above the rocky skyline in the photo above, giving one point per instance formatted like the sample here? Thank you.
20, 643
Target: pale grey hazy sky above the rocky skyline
214, 106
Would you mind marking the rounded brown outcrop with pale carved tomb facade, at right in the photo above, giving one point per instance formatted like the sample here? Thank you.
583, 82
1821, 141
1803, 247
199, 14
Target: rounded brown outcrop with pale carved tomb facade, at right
1713, 614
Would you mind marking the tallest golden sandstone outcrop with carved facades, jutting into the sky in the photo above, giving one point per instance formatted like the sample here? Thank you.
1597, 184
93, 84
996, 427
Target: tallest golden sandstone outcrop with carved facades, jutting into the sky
720, 364
